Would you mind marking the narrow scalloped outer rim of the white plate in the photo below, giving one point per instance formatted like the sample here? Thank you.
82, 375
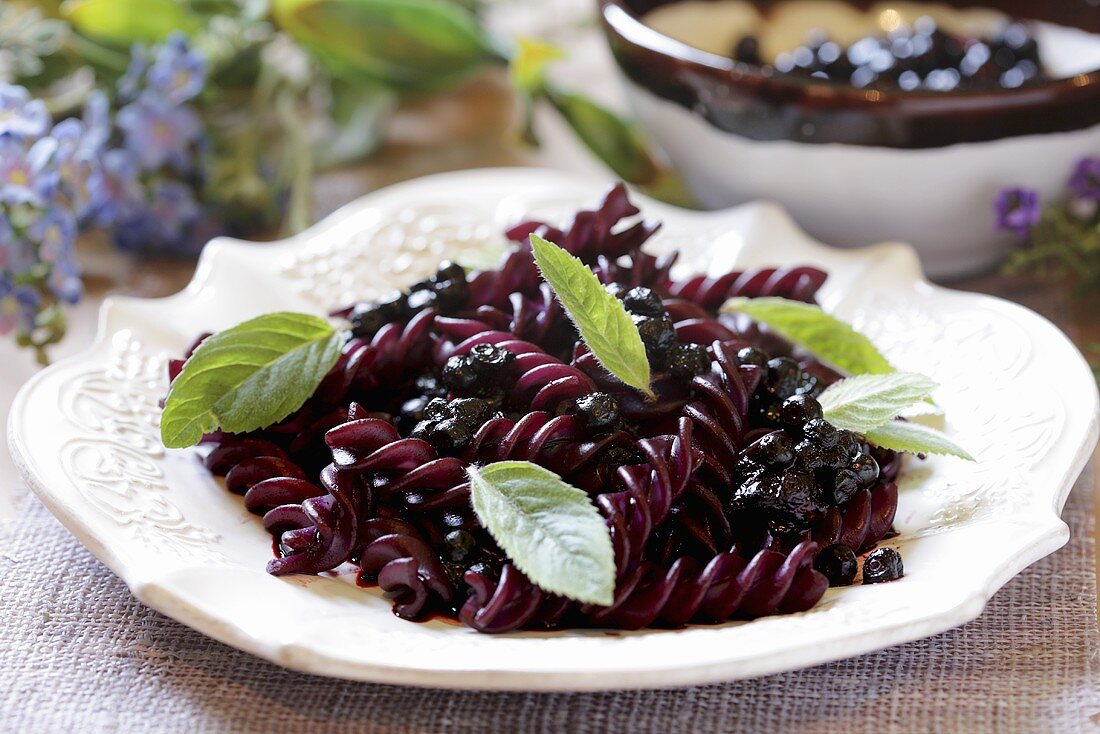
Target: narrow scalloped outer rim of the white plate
1051, 533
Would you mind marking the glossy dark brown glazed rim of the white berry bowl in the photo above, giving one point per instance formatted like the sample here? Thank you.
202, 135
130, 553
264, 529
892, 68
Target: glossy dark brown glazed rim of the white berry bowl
758, 105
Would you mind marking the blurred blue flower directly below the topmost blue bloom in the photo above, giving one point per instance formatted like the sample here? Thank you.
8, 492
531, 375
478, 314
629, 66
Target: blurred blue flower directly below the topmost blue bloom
158, 133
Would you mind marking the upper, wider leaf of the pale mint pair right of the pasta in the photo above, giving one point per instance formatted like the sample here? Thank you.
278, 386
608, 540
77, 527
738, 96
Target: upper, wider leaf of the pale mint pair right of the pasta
866, 402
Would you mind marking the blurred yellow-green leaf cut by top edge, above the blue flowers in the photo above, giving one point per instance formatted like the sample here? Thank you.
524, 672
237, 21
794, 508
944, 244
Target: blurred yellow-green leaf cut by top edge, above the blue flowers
125, 23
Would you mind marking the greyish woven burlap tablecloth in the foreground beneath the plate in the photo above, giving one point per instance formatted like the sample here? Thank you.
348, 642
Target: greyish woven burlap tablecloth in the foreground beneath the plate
80, 654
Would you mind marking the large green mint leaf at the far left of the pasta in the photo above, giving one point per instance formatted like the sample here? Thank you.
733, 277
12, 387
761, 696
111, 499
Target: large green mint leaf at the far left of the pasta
249, 377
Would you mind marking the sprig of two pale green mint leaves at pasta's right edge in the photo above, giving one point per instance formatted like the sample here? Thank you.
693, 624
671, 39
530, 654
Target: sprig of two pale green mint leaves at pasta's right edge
870, 406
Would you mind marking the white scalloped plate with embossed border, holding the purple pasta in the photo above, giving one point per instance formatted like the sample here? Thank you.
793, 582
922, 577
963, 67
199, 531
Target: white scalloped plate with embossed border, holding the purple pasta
85, 435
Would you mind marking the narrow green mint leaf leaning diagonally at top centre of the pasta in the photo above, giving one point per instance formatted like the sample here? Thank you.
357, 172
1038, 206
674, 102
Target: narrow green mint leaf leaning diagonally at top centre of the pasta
600, 317
